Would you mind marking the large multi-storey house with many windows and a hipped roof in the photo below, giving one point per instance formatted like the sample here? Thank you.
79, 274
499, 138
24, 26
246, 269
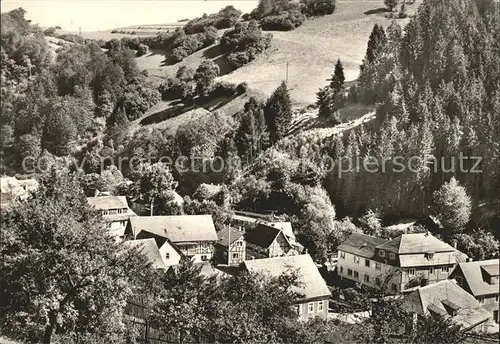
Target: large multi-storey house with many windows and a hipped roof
406, 261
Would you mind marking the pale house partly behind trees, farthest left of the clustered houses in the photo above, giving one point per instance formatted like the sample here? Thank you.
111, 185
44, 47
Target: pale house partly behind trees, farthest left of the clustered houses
115, 212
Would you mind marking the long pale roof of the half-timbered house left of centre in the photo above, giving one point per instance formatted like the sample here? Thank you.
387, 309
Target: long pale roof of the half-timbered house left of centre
182, 228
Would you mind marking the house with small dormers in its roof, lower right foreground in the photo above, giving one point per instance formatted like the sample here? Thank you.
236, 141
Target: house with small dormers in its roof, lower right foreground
445, 298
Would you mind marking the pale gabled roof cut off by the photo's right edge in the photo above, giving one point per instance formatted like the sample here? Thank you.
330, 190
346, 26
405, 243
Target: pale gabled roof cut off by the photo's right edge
475, 279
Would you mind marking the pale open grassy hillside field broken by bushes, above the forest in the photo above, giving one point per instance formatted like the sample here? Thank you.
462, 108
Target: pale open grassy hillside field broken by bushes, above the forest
311, 51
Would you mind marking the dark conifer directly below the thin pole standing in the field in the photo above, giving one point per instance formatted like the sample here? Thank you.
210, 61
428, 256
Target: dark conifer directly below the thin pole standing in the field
278, 112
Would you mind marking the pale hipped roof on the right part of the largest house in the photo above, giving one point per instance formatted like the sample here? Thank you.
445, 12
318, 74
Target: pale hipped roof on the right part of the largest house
415, 243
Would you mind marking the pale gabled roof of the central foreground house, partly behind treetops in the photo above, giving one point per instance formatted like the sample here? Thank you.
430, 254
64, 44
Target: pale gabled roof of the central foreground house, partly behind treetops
312, 284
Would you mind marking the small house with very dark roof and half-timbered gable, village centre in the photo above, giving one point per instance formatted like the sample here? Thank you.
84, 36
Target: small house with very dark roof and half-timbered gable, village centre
267, 241
